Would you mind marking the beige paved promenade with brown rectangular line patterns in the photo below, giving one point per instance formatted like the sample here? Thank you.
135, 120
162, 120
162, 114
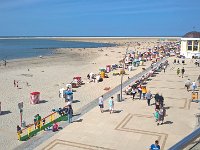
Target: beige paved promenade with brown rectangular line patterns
133, 125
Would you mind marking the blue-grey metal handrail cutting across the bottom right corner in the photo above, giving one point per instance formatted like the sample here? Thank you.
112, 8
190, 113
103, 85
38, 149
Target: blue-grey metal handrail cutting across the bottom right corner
187, 140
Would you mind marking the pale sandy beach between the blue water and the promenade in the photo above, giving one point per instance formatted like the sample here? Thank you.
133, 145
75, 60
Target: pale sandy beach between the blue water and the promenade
50, 73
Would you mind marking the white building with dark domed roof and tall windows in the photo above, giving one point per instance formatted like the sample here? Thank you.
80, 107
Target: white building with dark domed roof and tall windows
190, 44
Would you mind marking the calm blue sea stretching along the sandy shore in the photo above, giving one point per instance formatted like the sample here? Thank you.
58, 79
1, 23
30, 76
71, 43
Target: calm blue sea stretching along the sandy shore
23, 47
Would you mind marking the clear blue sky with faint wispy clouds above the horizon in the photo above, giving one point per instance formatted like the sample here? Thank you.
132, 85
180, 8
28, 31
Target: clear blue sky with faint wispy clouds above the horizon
98, 17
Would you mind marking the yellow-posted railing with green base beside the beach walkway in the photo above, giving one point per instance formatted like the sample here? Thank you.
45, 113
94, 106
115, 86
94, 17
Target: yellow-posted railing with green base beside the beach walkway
38, 126
